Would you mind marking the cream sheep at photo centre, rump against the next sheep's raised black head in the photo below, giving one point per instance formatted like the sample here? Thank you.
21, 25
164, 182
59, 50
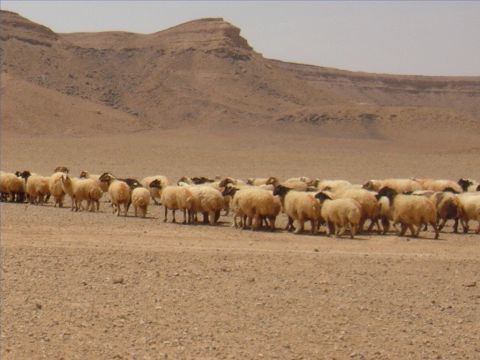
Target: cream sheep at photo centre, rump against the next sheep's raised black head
254, 203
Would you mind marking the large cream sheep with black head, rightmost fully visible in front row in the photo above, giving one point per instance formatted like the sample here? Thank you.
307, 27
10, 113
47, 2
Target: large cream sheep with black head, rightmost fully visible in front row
408, 211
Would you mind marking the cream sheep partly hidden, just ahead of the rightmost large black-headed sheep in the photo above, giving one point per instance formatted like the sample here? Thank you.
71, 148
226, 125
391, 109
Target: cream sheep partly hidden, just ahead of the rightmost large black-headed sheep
368, 205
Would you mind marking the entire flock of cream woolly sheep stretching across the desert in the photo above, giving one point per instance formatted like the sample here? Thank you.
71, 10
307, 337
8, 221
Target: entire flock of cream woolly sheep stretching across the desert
411, 204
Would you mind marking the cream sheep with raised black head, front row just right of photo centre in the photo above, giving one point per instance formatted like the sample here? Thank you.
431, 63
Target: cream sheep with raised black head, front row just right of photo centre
299, 206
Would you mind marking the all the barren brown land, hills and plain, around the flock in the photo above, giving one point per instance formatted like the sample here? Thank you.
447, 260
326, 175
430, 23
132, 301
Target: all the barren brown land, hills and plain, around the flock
197, 100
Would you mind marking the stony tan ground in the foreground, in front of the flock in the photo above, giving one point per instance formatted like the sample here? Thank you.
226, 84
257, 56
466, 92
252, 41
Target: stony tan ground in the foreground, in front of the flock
97, 286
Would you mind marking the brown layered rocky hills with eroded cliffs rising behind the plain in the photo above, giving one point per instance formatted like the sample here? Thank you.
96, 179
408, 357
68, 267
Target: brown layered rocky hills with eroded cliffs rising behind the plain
204, 72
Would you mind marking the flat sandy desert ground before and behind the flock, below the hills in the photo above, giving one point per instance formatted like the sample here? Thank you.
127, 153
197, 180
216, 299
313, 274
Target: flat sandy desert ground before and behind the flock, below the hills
93, 285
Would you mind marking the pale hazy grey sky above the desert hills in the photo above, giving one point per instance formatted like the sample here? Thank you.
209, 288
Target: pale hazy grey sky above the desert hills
404, 37
